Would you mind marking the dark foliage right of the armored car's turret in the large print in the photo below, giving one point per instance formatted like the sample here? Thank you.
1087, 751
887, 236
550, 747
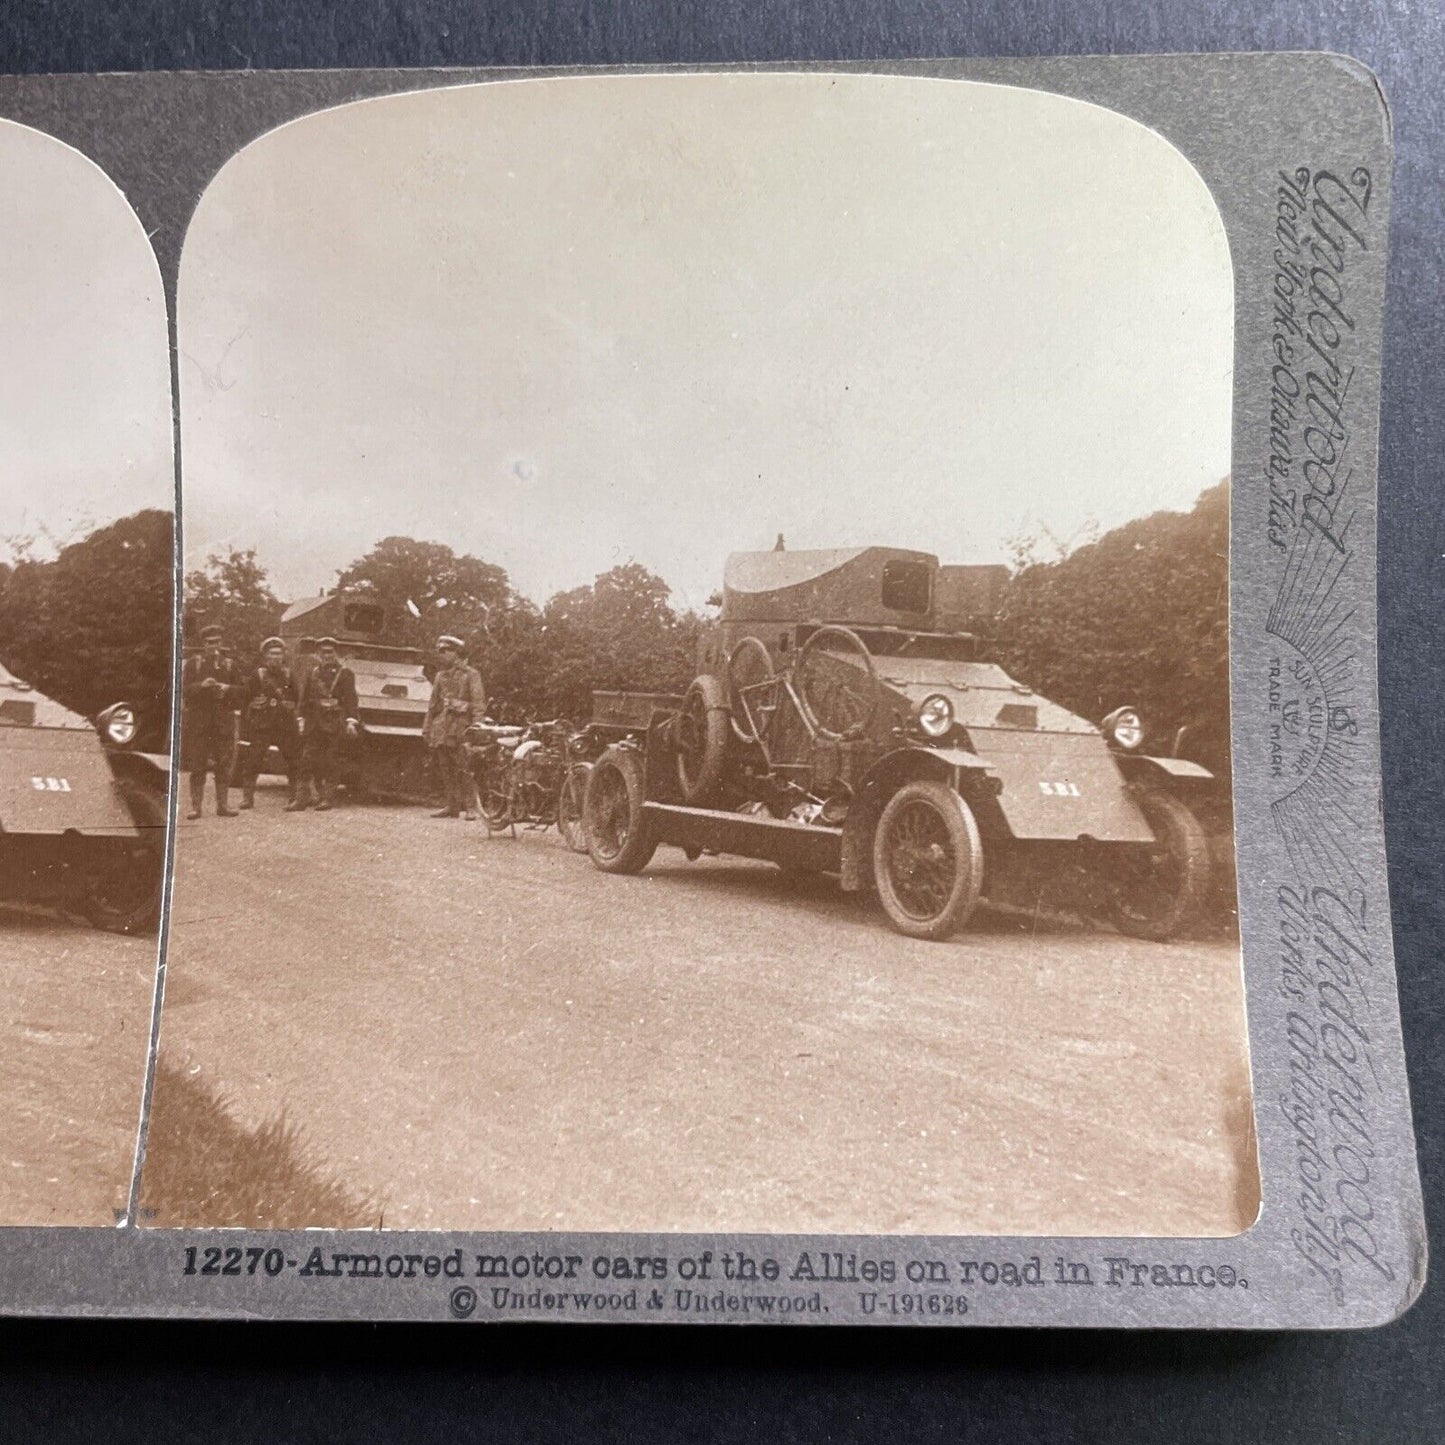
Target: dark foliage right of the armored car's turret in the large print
1141, 618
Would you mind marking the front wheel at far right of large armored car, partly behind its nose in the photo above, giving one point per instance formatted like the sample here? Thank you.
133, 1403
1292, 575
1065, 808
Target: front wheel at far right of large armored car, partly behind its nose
1158, 889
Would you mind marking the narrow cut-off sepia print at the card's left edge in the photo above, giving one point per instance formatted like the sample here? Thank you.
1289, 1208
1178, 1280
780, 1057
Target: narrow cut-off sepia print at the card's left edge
86, 628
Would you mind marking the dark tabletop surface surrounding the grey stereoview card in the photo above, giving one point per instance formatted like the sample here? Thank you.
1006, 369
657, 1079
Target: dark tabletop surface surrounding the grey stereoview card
181, 1382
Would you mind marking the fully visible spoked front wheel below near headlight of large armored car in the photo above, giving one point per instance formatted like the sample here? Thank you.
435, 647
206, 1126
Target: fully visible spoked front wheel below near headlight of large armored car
928, 860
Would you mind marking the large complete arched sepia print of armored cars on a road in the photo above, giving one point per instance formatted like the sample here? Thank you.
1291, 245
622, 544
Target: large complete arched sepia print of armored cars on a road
706, 687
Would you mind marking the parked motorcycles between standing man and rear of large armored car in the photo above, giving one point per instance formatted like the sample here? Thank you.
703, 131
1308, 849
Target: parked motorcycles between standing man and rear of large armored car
532, 775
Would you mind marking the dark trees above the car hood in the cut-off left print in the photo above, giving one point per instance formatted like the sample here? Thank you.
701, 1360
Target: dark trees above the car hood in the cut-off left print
95, 625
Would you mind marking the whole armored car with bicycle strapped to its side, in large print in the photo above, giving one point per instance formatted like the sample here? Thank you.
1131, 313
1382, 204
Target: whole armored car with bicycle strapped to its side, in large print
847, 719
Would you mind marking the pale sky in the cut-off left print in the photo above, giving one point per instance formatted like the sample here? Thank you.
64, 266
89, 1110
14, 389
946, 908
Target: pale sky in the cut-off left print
85, 374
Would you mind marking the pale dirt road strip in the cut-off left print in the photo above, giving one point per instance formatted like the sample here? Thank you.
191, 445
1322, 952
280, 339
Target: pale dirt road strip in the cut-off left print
74, 1024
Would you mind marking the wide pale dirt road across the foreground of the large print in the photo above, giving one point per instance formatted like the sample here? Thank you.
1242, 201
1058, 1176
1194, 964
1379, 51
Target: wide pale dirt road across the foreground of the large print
489, 1034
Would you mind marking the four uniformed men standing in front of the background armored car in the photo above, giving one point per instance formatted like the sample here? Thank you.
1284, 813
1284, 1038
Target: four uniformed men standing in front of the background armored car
306, 720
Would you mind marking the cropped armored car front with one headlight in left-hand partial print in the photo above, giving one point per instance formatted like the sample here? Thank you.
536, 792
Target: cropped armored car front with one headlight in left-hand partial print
83, 816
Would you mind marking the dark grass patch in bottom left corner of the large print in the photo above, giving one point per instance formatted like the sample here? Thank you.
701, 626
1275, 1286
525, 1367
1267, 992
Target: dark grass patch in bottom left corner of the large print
204, 1170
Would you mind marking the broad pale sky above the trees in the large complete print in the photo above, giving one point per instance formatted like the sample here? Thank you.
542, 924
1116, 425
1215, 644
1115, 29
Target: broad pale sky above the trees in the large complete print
566, 324
